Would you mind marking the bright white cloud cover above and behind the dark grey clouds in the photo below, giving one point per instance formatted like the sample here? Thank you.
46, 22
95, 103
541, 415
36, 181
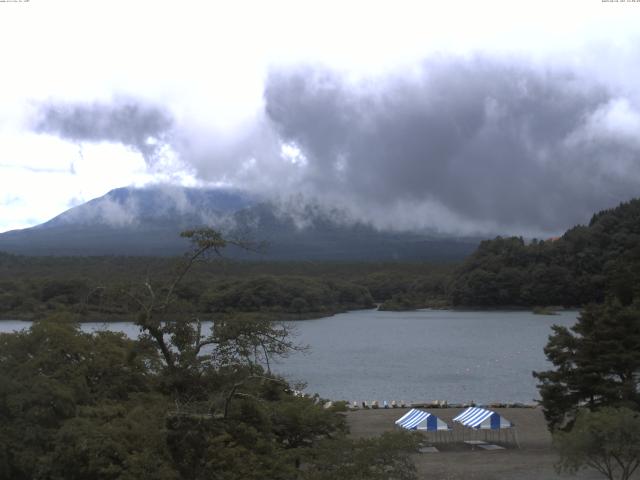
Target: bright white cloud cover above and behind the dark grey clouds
206, 62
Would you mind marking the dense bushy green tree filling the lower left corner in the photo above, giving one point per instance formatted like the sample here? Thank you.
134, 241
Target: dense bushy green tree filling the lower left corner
65, 396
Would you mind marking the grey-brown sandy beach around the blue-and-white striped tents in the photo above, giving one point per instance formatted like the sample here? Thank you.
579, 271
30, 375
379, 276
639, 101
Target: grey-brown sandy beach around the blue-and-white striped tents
533, 460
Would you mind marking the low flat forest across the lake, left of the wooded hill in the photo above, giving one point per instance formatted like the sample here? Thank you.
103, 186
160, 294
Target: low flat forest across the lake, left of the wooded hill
92, 287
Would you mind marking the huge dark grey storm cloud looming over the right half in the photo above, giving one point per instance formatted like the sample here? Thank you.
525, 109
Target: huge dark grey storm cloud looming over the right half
505, 144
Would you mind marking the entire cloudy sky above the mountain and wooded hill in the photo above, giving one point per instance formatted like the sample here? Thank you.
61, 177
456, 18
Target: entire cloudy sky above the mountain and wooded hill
510, 117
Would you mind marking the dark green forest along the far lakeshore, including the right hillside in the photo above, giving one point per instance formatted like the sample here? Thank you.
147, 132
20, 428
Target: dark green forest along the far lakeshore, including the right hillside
583, 266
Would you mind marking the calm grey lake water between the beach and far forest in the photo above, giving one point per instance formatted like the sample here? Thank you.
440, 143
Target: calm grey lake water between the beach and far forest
413, 356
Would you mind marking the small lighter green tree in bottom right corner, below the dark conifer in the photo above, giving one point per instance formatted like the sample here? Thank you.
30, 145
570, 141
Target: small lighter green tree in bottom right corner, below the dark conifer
607, 440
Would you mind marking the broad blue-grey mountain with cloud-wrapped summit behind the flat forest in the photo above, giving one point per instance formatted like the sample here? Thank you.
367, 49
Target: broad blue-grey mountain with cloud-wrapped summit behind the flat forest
129, 221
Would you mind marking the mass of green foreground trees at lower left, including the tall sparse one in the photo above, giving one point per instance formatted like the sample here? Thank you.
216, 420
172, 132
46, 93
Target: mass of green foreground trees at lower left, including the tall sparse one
178, 403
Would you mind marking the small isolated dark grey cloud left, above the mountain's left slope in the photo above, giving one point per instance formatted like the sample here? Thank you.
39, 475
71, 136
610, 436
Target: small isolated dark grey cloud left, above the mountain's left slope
137, 125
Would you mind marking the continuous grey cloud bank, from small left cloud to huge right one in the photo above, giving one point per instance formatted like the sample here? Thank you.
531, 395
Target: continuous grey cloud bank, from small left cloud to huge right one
458, 145
